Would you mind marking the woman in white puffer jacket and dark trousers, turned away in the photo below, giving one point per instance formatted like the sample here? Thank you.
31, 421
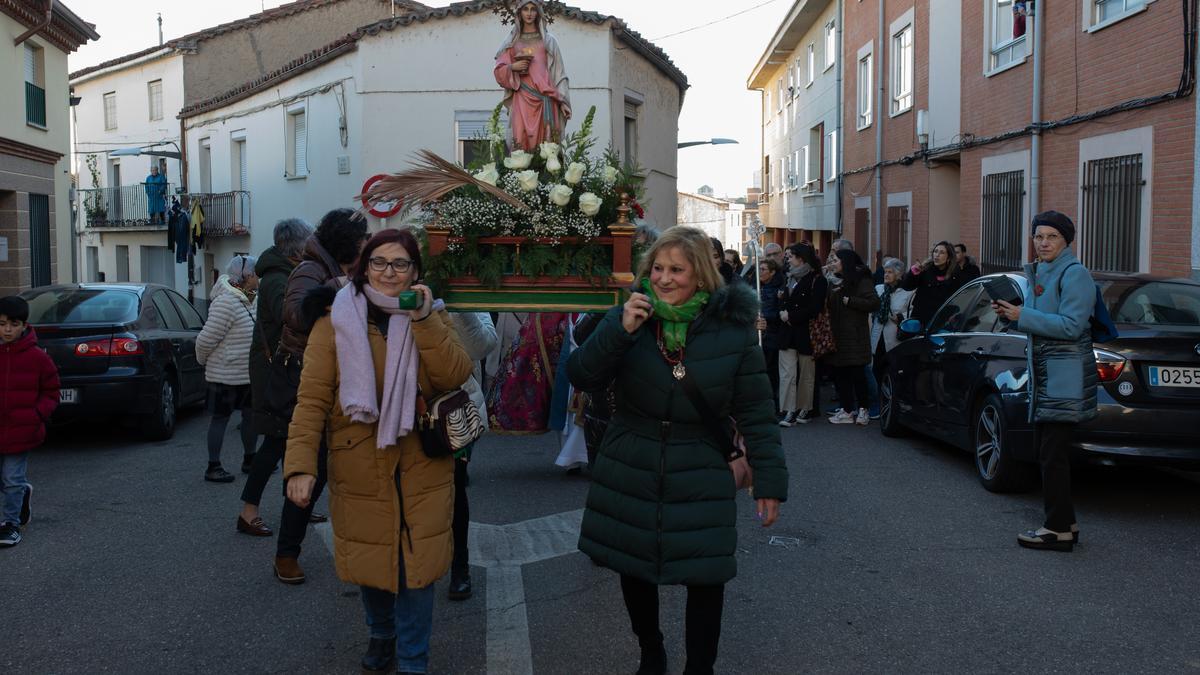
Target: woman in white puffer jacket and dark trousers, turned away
224, 350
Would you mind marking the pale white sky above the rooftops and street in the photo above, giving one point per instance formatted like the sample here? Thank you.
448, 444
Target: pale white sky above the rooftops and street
716, 58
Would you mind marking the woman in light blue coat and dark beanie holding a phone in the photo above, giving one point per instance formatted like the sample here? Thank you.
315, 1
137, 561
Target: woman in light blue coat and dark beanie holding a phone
1063, 389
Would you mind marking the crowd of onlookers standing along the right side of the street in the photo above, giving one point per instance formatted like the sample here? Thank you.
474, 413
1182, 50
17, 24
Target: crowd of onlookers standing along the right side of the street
833, 319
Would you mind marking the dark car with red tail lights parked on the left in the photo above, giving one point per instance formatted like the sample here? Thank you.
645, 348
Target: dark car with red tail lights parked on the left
124, 351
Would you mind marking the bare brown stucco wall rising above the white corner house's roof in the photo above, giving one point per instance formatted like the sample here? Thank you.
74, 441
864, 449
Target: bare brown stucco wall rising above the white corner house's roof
229, 61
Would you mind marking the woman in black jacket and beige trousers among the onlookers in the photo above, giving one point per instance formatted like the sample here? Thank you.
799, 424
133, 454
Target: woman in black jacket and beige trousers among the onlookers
803, 300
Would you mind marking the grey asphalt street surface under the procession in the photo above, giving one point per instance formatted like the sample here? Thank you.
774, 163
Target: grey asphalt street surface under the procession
890, 558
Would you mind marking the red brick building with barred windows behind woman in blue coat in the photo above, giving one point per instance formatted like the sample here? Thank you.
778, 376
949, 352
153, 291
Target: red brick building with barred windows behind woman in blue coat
1119, 129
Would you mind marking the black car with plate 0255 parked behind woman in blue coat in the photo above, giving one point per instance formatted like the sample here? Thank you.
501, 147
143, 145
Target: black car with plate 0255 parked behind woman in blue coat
964, 380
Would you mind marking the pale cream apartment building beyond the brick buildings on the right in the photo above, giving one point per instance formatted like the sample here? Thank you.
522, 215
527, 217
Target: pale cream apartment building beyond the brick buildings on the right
799, 79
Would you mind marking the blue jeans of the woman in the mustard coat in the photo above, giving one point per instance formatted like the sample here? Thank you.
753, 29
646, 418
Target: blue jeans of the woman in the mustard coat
407, 617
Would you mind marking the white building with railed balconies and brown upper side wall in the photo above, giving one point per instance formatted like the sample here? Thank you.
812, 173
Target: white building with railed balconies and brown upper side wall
128, 121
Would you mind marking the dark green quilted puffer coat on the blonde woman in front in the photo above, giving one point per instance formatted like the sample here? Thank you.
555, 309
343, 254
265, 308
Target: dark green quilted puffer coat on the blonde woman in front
662, 504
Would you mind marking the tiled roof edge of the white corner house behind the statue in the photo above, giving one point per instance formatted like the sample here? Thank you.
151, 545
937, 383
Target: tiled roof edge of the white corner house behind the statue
647, 50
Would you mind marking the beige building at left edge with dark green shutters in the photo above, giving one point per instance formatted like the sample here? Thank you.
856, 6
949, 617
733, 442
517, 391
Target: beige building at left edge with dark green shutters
35, 142
